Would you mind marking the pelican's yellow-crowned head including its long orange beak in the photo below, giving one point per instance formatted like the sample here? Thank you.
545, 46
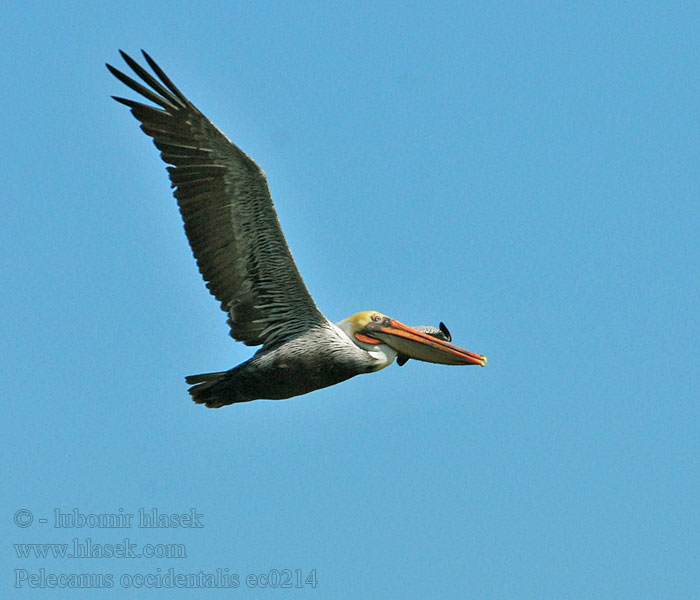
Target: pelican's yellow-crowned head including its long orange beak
374, 331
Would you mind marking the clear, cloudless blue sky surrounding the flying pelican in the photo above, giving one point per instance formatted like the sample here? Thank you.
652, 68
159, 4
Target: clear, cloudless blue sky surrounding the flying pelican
528, 173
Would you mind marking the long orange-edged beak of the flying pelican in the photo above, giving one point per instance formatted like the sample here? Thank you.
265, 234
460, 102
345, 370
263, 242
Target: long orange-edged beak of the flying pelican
421, 346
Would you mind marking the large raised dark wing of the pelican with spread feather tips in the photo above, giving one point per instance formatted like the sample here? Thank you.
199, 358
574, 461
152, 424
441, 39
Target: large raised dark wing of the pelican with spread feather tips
230, 220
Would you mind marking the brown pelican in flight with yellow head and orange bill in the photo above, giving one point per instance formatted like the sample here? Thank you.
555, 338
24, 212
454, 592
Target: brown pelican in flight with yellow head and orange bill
237, 241
